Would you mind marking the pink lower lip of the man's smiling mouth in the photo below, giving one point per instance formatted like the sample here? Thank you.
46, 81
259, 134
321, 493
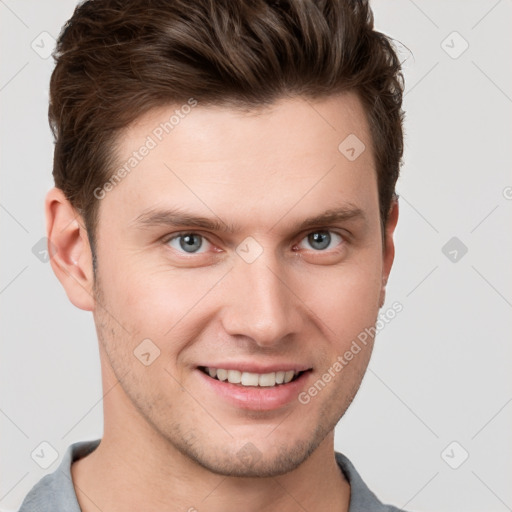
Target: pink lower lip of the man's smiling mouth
256, 398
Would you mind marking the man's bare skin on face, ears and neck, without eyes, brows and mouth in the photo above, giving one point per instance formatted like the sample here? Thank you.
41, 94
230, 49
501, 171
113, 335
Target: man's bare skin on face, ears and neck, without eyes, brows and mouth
169, 442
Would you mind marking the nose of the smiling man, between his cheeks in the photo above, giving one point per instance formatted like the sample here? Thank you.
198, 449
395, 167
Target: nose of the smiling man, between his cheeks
261, 304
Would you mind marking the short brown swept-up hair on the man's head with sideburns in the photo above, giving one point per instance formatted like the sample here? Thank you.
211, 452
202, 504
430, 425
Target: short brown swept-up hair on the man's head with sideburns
117, 59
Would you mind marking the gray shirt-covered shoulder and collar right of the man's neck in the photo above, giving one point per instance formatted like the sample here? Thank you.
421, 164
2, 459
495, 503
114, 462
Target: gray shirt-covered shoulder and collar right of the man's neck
362, 499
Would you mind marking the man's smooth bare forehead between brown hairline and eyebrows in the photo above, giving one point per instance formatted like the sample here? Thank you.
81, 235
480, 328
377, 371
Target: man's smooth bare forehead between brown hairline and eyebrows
296, 154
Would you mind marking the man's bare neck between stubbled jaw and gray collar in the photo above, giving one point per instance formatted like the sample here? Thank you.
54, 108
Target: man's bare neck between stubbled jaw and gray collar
134, 468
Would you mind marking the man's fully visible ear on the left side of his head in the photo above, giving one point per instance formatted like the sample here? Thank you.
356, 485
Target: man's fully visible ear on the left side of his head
69, 250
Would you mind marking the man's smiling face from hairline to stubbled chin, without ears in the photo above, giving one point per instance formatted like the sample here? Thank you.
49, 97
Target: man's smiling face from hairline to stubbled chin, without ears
242, 246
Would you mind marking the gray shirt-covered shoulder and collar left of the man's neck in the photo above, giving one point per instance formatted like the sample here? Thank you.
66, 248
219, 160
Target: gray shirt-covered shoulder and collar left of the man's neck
55, 491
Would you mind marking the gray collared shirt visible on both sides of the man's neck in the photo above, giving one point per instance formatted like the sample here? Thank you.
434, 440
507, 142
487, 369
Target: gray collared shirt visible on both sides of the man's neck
55, 491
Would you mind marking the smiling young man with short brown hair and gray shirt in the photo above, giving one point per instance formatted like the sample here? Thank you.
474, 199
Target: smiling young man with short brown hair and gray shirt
225, 207
